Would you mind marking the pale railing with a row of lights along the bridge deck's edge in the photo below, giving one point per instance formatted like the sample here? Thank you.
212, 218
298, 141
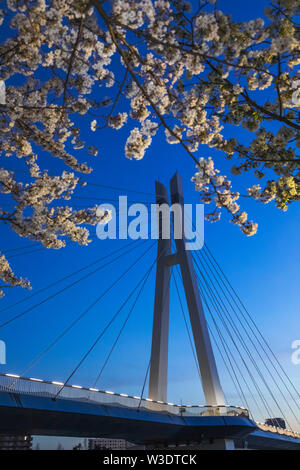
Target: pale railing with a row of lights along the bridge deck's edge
38, 387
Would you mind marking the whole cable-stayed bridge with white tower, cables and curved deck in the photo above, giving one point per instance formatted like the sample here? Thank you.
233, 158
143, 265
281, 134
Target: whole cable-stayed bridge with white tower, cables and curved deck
222, 337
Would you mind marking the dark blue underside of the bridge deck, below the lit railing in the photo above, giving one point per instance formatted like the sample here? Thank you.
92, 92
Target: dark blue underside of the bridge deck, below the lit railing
25, 414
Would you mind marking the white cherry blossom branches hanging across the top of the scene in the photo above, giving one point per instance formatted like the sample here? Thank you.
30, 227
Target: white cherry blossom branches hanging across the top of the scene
142, 65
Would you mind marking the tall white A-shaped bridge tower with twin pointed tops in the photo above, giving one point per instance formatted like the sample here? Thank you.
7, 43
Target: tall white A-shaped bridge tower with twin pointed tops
165, 259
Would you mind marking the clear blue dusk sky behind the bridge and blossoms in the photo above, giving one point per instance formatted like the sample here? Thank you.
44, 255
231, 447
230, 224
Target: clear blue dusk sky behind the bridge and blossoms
264, 270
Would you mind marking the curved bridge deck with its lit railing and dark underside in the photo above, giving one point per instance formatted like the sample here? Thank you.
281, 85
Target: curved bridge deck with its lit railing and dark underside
28, 406
